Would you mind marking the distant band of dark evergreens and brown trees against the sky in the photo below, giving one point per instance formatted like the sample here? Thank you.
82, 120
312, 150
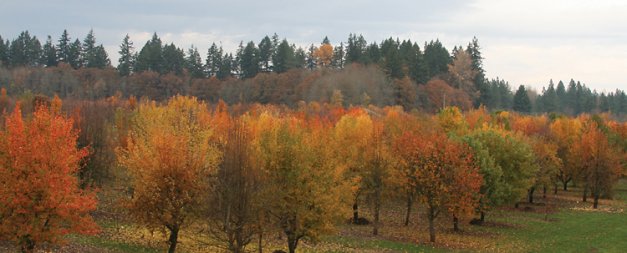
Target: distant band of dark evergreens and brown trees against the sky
275, 71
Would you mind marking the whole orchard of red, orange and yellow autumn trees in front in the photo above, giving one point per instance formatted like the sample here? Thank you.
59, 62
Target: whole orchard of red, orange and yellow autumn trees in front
247, 171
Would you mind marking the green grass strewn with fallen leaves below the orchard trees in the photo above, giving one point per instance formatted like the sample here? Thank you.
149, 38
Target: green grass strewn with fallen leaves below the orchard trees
566, 230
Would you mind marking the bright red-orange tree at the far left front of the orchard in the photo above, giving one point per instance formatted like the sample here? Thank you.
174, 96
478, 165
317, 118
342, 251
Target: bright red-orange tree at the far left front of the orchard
40, 197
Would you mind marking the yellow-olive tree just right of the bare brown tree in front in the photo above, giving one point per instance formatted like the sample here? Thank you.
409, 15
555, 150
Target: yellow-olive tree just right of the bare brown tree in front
303, 187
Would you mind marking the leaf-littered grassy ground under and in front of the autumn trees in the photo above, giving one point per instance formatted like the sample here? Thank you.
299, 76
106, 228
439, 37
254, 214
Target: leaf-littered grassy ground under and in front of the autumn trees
560, 223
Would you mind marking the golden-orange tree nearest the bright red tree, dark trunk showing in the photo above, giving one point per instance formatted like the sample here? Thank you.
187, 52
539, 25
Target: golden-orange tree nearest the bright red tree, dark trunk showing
170, 158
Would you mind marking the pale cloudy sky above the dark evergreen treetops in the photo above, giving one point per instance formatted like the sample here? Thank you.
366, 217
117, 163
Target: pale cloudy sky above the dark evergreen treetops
523, 42
